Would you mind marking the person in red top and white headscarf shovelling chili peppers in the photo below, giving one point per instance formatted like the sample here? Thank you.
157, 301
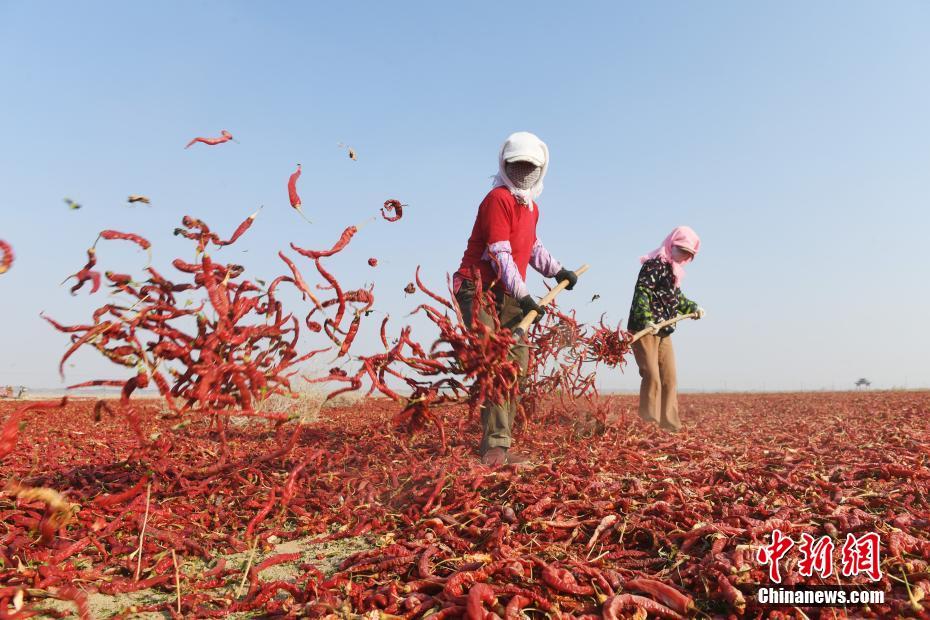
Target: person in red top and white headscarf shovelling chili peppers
503, 243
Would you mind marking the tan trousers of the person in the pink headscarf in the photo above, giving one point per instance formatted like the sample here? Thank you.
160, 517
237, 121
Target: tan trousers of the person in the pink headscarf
658, 392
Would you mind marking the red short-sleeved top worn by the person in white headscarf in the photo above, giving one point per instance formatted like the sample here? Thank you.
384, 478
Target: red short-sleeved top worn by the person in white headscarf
500, 218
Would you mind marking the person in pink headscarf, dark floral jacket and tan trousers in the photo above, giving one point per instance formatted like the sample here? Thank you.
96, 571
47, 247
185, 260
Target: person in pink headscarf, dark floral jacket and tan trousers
657, 298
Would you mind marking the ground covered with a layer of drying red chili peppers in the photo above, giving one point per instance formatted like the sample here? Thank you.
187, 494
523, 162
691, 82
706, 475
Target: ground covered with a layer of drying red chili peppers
627, 518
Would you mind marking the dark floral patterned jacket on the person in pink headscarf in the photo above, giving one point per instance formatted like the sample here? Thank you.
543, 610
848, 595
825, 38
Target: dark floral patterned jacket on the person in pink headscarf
656, 297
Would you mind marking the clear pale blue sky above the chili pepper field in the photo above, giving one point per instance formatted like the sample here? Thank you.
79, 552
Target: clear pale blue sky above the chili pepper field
793, 136
